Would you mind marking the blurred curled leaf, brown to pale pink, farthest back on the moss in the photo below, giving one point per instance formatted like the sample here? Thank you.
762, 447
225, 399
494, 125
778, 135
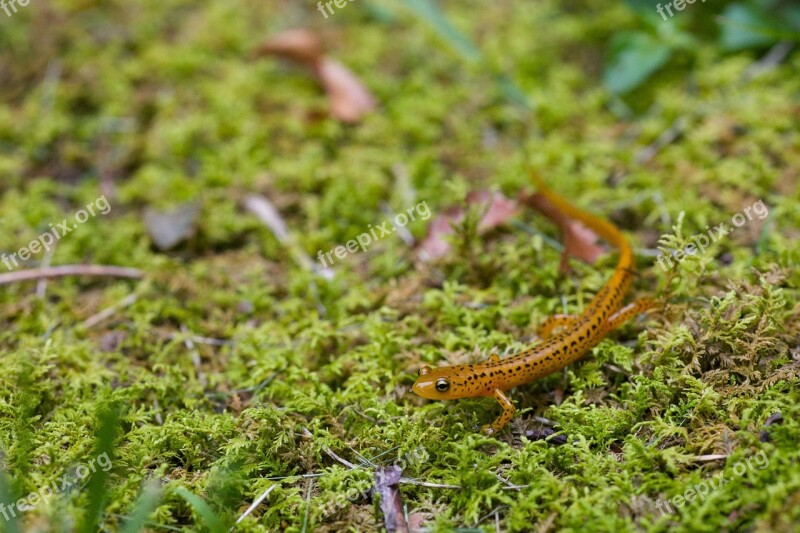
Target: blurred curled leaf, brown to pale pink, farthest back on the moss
348, 99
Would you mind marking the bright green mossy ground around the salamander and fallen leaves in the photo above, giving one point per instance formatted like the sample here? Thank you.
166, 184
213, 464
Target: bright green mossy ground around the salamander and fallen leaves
165, 100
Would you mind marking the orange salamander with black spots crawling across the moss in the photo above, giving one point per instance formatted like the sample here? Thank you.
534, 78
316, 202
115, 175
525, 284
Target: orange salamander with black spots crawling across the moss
581, 332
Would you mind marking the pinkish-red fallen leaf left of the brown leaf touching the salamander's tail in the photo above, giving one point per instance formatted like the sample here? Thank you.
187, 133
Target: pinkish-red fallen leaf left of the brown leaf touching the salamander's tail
497, 209
